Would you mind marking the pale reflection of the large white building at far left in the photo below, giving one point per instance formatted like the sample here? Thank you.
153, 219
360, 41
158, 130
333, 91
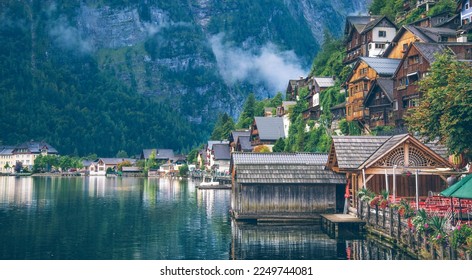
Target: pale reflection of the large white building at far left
15, 190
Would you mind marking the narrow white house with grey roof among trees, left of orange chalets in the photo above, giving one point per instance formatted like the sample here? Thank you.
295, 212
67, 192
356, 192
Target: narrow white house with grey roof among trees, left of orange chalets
319, 85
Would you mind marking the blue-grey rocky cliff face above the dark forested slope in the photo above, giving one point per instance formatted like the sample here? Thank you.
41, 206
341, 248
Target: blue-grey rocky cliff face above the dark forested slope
208, 54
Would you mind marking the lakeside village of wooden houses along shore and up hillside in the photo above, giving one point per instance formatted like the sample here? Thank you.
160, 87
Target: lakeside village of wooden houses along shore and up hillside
399, 186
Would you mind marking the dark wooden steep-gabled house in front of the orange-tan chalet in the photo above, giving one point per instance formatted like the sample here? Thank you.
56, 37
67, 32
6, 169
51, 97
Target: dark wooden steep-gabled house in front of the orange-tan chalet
379, 103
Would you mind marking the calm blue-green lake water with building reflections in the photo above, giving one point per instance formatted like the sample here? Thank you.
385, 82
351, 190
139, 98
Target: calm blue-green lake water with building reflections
99, 218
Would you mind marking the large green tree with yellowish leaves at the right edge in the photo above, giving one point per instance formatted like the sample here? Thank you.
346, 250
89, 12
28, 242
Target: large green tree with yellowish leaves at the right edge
445, 110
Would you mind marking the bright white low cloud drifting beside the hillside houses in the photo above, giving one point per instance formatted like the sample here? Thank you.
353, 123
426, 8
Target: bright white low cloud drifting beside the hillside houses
266, 65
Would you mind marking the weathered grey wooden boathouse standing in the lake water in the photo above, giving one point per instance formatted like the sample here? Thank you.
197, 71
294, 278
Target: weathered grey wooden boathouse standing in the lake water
284, 186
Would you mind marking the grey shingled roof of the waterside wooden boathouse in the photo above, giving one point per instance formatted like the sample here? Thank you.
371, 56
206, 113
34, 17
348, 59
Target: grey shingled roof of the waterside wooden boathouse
282, 168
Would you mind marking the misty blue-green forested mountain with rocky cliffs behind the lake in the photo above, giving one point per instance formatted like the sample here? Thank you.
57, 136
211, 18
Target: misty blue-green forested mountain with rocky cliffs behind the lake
108, 75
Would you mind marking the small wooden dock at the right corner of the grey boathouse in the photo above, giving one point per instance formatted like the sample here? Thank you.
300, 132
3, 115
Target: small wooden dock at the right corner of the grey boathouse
335, 224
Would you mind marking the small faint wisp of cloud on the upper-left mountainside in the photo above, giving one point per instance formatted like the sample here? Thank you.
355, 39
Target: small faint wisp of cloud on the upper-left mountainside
69, 37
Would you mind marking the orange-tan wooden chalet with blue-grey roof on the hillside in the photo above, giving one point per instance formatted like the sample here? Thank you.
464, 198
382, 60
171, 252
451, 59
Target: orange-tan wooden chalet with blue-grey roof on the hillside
360, 81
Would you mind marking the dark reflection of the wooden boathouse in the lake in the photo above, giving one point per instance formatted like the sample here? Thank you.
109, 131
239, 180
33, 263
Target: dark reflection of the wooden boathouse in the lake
289, 242
